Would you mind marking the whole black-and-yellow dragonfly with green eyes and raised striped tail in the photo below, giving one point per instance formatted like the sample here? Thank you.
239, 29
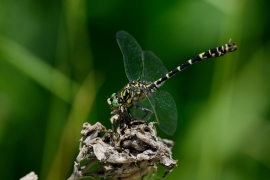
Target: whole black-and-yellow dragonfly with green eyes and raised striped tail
146, 74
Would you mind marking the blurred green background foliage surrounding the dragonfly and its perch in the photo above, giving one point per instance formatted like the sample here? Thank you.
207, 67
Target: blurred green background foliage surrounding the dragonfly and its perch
59, 62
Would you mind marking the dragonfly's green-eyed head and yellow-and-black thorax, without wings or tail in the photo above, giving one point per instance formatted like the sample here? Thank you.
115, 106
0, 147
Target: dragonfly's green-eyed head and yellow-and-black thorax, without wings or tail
131, 94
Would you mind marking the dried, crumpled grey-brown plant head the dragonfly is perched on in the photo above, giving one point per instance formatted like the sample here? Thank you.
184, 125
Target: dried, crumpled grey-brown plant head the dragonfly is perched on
133, 152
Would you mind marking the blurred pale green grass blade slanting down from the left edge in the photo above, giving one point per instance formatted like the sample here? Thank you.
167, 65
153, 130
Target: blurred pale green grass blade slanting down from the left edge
37, 69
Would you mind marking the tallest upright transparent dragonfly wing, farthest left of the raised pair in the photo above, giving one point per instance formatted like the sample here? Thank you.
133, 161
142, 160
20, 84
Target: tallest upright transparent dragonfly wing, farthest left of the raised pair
132, 53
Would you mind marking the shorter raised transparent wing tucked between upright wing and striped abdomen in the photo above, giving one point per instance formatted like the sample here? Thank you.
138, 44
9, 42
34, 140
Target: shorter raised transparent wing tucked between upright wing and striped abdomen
153, 67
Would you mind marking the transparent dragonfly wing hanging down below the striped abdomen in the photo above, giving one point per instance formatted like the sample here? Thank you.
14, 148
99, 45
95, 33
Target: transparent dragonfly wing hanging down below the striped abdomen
165, 111
